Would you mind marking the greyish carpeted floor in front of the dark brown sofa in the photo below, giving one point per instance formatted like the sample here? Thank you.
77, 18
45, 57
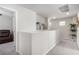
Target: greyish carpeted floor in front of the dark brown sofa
7, 49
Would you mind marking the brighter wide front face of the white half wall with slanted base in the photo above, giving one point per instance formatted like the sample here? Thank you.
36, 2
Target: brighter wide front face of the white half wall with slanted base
43, 42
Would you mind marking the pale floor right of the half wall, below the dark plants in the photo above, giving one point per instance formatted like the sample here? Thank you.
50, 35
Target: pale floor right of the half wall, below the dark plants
65, 47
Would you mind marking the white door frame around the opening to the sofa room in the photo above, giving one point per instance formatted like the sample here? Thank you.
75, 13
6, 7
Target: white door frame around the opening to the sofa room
14, 26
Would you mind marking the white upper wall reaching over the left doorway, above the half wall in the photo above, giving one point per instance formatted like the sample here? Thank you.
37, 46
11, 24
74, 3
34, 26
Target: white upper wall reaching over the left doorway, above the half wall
25, 18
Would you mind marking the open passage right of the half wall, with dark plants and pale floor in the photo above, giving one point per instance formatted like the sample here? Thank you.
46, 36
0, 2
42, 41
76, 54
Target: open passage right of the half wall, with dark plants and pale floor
67, 43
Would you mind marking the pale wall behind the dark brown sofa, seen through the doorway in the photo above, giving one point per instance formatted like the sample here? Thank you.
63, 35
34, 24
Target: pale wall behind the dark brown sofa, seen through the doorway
6, 23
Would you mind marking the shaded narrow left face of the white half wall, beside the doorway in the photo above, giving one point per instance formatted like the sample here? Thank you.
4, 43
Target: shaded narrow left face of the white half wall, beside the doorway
25, 43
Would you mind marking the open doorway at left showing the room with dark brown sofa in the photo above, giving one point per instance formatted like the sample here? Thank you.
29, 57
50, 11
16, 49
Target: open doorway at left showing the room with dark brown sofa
7, 32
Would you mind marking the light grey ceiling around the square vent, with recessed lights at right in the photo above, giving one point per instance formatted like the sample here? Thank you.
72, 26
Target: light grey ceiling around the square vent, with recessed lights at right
52, 10
